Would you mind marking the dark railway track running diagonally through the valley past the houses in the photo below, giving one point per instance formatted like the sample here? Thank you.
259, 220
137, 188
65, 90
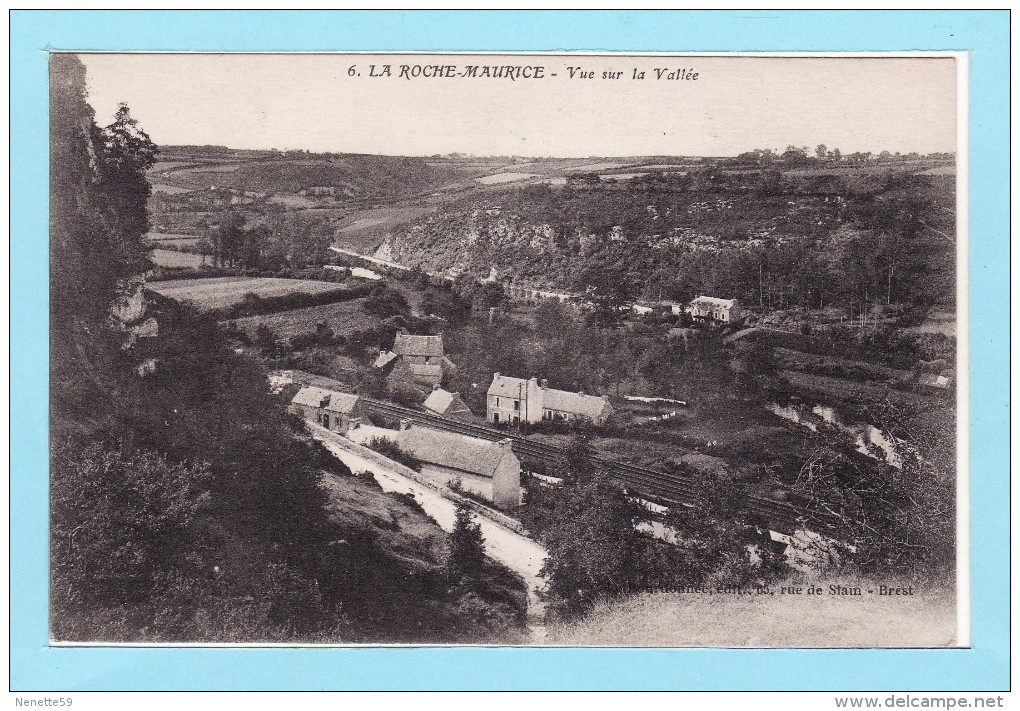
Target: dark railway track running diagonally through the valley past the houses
669, 488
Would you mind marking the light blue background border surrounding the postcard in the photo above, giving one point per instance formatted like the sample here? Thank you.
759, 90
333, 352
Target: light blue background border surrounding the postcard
986, 667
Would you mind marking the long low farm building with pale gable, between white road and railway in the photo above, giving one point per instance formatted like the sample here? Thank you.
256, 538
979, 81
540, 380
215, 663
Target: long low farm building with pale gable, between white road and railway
490, 470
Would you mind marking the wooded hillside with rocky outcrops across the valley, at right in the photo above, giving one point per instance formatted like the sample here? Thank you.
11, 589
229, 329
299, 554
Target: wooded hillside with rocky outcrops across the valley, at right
773, 239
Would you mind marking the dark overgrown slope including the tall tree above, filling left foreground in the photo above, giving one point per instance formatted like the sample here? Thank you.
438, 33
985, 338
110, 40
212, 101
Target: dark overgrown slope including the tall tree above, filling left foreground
185, 504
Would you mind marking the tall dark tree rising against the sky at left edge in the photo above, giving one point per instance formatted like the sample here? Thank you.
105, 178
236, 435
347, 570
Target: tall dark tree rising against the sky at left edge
98, 194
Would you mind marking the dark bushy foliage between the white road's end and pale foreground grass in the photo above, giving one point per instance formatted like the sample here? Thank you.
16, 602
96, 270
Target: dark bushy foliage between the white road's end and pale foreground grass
597, 551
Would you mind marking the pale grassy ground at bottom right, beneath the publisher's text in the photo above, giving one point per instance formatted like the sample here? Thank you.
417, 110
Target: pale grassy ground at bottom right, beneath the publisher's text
925, 620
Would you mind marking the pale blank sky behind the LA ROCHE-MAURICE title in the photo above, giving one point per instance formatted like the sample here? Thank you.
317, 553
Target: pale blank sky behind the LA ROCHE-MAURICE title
319, 103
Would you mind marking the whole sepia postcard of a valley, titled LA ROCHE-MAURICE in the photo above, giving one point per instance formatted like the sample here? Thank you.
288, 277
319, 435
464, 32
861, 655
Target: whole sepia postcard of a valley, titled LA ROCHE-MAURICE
530, 349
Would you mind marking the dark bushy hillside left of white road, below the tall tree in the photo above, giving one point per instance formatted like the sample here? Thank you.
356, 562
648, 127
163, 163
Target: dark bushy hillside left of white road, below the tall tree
300, 548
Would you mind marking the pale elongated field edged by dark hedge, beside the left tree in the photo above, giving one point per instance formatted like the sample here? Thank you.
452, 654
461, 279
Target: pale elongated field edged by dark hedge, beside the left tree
221, 292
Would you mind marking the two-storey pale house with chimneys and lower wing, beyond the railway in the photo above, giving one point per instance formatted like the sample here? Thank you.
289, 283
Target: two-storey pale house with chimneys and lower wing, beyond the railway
517, 400
